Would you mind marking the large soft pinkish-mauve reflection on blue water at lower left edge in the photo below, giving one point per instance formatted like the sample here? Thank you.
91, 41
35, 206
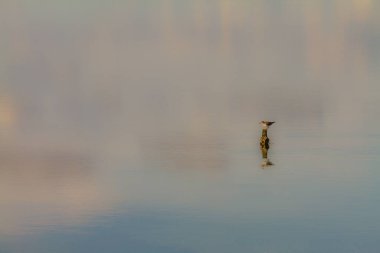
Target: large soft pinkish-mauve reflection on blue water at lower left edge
57, 186
